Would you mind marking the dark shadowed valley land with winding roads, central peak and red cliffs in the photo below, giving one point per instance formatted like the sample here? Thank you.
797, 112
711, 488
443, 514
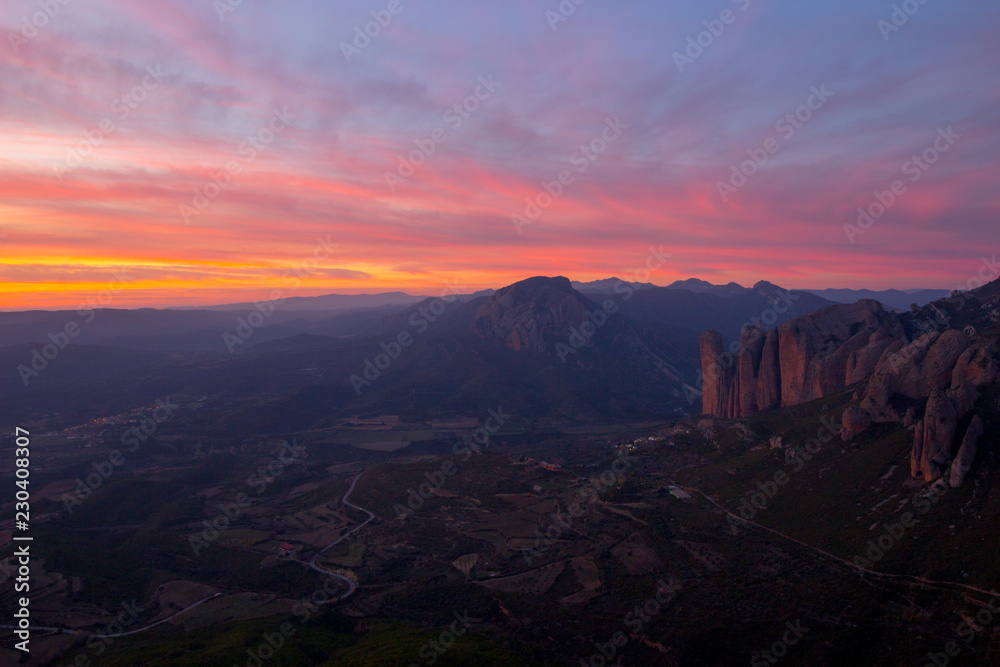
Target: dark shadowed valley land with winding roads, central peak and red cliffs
478, 503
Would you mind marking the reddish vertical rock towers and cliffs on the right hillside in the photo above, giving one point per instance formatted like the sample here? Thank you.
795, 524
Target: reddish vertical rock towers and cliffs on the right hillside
925, 369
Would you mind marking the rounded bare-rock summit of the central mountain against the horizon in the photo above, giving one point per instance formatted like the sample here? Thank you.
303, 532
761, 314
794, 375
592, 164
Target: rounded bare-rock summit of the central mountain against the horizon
527, 315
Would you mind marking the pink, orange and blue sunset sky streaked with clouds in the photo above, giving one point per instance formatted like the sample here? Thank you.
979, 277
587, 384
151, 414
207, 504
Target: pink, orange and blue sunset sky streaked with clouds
179, 86
